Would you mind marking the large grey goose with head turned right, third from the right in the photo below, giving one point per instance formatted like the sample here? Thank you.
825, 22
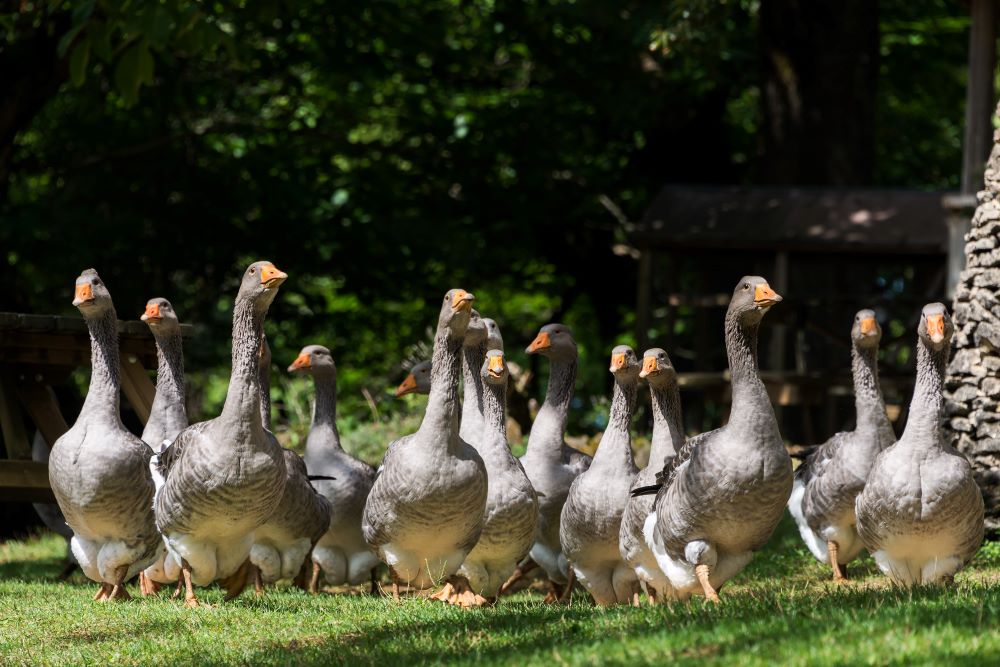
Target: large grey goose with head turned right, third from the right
722, 496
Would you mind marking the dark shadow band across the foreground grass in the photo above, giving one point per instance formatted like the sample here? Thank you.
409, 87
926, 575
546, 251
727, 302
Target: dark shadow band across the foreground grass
761, 622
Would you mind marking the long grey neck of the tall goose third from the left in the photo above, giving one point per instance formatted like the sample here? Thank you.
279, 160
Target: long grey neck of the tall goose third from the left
243, 400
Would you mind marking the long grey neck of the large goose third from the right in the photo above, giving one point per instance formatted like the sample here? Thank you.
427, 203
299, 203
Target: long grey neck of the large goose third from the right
751, 406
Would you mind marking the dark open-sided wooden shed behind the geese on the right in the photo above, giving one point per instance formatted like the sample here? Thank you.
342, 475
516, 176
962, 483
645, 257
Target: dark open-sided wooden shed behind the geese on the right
829, 252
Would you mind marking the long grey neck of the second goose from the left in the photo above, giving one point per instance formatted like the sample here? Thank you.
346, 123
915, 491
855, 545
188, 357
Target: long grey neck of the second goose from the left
168, 416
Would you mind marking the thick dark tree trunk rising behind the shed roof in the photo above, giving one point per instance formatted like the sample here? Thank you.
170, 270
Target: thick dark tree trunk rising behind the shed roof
820, 60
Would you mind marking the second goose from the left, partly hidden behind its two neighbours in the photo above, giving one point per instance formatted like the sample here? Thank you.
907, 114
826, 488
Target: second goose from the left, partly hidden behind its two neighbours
167, 417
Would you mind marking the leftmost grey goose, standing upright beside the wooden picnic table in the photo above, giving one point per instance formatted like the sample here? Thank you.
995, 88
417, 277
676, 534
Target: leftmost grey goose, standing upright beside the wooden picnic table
98, 470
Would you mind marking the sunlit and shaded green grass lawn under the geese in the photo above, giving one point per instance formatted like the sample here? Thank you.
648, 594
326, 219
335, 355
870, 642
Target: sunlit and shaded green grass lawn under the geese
781, 610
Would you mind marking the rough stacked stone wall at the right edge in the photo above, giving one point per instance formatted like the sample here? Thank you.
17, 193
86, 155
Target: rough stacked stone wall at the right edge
973, 386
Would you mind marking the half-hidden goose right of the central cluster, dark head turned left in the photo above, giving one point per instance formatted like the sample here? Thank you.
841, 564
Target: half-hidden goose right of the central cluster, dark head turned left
551, 464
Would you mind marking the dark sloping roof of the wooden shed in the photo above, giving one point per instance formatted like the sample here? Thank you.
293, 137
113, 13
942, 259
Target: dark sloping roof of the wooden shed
899, 222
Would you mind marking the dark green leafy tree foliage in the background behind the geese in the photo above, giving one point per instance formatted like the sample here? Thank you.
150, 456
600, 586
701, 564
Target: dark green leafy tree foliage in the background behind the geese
382, 153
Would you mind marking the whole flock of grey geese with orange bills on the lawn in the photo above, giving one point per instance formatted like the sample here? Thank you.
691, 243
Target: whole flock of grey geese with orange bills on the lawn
221, 501
